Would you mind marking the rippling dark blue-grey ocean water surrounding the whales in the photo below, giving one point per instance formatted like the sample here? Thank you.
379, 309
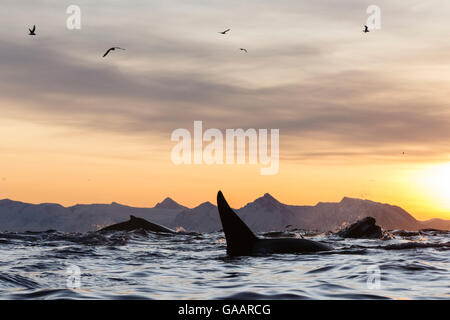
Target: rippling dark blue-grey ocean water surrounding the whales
141, 265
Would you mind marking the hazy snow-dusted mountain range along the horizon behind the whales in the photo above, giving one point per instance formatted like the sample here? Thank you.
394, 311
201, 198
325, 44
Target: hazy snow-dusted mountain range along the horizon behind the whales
262, 215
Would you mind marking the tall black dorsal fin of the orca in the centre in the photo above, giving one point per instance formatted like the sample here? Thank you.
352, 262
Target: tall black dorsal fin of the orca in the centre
240, 238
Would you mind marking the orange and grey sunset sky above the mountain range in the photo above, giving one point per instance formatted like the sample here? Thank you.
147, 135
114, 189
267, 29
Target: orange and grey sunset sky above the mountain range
79, 128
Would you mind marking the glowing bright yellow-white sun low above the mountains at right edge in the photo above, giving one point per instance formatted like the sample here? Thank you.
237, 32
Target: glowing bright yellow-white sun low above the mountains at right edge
437, 184
